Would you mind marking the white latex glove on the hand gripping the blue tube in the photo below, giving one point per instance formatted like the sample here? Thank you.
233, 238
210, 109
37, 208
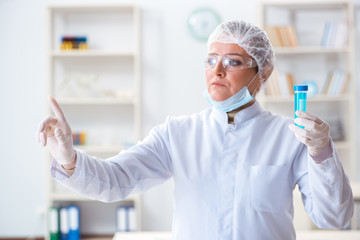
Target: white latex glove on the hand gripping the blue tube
316, 135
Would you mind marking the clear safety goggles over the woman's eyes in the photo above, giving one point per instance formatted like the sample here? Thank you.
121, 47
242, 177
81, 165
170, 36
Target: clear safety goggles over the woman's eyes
231, 62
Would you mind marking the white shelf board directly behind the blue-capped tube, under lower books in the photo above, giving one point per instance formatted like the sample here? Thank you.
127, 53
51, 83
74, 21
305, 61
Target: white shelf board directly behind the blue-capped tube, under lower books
317, 98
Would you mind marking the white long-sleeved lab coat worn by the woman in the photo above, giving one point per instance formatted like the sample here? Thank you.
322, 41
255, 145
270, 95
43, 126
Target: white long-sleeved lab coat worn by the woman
231, 181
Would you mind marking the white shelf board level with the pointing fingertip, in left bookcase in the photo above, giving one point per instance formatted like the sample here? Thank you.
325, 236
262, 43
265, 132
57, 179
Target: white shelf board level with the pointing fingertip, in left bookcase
94, 101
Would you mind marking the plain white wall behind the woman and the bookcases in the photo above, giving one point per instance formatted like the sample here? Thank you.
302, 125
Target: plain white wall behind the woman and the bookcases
172, 70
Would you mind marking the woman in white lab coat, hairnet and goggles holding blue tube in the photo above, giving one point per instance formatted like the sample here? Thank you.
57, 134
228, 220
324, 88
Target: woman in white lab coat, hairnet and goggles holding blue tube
234, 166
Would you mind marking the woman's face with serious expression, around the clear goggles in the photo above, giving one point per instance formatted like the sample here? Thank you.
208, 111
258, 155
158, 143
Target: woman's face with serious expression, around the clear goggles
223, 83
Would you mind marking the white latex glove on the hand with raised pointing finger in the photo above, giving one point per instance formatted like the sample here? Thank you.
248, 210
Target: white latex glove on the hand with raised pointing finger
55, 133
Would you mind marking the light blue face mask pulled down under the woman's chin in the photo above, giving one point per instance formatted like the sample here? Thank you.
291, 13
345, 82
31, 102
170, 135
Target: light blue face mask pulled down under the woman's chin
239, 99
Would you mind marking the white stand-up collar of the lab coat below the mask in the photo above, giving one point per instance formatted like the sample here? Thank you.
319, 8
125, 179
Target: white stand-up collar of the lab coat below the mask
240, 118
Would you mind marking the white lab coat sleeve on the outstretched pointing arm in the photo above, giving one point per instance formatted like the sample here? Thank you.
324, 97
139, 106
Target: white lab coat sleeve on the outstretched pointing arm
135, 170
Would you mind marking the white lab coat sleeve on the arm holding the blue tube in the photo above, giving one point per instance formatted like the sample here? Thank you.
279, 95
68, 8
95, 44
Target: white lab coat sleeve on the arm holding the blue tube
326, 192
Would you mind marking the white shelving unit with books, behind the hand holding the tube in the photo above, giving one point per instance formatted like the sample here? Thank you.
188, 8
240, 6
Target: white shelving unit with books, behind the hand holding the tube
310, 60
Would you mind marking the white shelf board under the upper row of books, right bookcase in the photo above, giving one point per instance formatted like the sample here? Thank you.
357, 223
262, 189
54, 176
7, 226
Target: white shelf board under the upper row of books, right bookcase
310, 50
